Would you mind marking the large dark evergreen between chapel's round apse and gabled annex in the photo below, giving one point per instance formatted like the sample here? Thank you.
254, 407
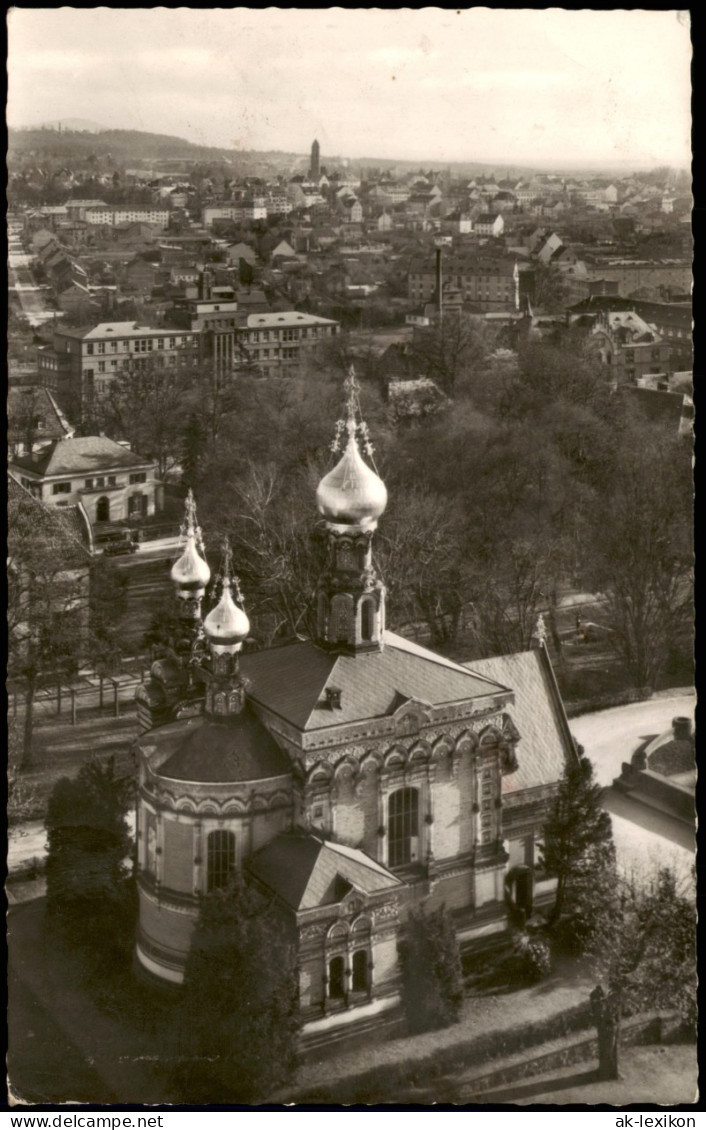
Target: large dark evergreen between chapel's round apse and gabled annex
240, 1007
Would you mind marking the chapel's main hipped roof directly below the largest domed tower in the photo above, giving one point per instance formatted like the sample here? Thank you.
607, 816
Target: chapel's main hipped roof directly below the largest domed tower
292, 682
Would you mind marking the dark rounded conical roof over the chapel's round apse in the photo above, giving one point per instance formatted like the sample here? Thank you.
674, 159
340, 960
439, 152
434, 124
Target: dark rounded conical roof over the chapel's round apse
203, 750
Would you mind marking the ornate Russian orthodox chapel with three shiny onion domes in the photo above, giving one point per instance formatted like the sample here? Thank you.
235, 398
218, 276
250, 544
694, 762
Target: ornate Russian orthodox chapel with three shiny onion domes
352, 777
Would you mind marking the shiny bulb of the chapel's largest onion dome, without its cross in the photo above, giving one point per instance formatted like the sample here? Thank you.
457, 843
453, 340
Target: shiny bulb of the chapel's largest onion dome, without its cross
352, 493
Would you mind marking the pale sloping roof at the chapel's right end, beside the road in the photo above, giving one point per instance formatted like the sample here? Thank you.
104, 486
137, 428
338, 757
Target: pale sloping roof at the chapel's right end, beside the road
546, 744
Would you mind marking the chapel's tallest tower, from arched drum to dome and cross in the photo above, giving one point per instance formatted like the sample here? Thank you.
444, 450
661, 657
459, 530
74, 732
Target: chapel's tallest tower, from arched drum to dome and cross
351, 610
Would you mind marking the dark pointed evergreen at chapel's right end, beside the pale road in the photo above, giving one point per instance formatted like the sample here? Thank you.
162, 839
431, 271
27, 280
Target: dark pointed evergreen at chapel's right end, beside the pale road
579, 850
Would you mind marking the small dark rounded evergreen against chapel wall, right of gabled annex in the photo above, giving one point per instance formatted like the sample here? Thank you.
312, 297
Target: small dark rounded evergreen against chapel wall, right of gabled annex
432, 978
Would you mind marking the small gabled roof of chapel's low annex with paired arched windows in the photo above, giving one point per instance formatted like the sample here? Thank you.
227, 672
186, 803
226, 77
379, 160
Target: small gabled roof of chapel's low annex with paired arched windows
307, 872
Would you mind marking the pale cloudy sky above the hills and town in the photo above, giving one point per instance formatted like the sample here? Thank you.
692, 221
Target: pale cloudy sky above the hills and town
546, 86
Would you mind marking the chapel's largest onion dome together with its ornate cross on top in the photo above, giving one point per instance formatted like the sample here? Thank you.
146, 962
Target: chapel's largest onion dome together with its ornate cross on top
352, 493
